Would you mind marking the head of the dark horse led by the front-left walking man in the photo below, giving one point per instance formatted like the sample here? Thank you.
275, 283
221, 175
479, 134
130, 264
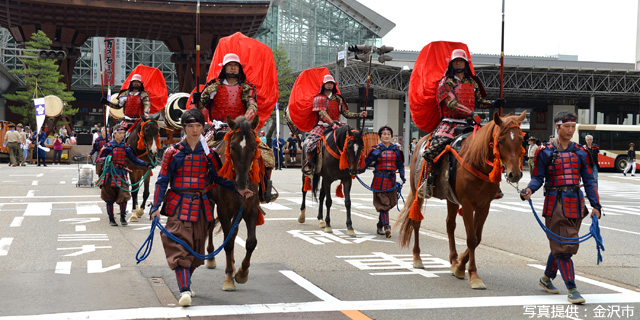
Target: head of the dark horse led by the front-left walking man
243, 145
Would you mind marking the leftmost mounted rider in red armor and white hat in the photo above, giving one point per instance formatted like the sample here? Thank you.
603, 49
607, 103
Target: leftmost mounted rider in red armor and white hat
135, 101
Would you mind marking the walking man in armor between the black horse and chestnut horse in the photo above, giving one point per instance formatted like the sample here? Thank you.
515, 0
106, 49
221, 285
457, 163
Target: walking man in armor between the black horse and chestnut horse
388, 159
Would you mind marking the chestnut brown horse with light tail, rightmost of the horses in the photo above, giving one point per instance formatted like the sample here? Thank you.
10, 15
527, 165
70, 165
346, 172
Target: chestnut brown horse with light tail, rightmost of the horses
475, 186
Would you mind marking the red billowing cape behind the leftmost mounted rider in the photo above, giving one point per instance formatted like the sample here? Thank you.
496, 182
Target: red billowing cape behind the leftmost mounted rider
154, 84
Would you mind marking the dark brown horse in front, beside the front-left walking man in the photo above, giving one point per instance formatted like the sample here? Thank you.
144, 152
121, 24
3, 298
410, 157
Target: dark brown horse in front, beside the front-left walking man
240, 144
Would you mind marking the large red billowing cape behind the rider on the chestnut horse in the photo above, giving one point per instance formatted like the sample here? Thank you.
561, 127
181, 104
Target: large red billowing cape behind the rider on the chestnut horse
429, 68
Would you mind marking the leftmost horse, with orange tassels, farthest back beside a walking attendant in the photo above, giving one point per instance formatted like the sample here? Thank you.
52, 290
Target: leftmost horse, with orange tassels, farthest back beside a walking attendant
145, 146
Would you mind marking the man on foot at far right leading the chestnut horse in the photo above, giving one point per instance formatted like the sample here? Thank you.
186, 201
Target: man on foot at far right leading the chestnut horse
559, 166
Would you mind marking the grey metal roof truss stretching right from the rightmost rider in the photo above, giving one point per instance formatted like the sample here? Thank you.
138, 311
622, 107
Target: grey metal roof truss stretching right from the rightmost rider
573, 83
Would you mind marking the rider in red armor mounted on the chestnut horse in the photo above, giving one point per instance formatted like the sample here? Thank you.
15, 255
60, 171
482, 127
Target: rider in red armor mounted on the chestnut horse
459, 94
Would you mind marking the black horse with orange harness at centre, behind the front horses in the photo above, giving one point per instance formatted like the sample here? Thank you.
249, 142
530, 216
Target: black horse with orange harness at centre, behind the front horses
341, 158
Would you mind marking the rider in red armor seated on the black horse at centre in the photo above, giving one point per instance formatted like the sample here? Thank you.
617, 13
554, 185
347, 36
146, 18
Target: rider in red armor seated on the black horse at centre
328, 105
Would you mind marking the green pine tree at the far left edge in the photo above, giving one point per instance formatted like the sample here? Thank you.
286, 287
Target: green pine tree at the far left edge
41, 74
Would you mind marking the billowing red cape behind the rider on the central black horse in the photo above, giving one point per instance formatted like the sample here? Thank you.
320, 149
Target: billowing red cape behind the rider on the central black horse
307, 86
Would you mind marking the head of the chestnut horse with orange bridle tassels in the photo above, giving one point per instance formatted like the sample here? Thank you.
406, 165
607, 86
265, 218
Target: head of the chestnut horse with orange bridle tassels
510, 139
